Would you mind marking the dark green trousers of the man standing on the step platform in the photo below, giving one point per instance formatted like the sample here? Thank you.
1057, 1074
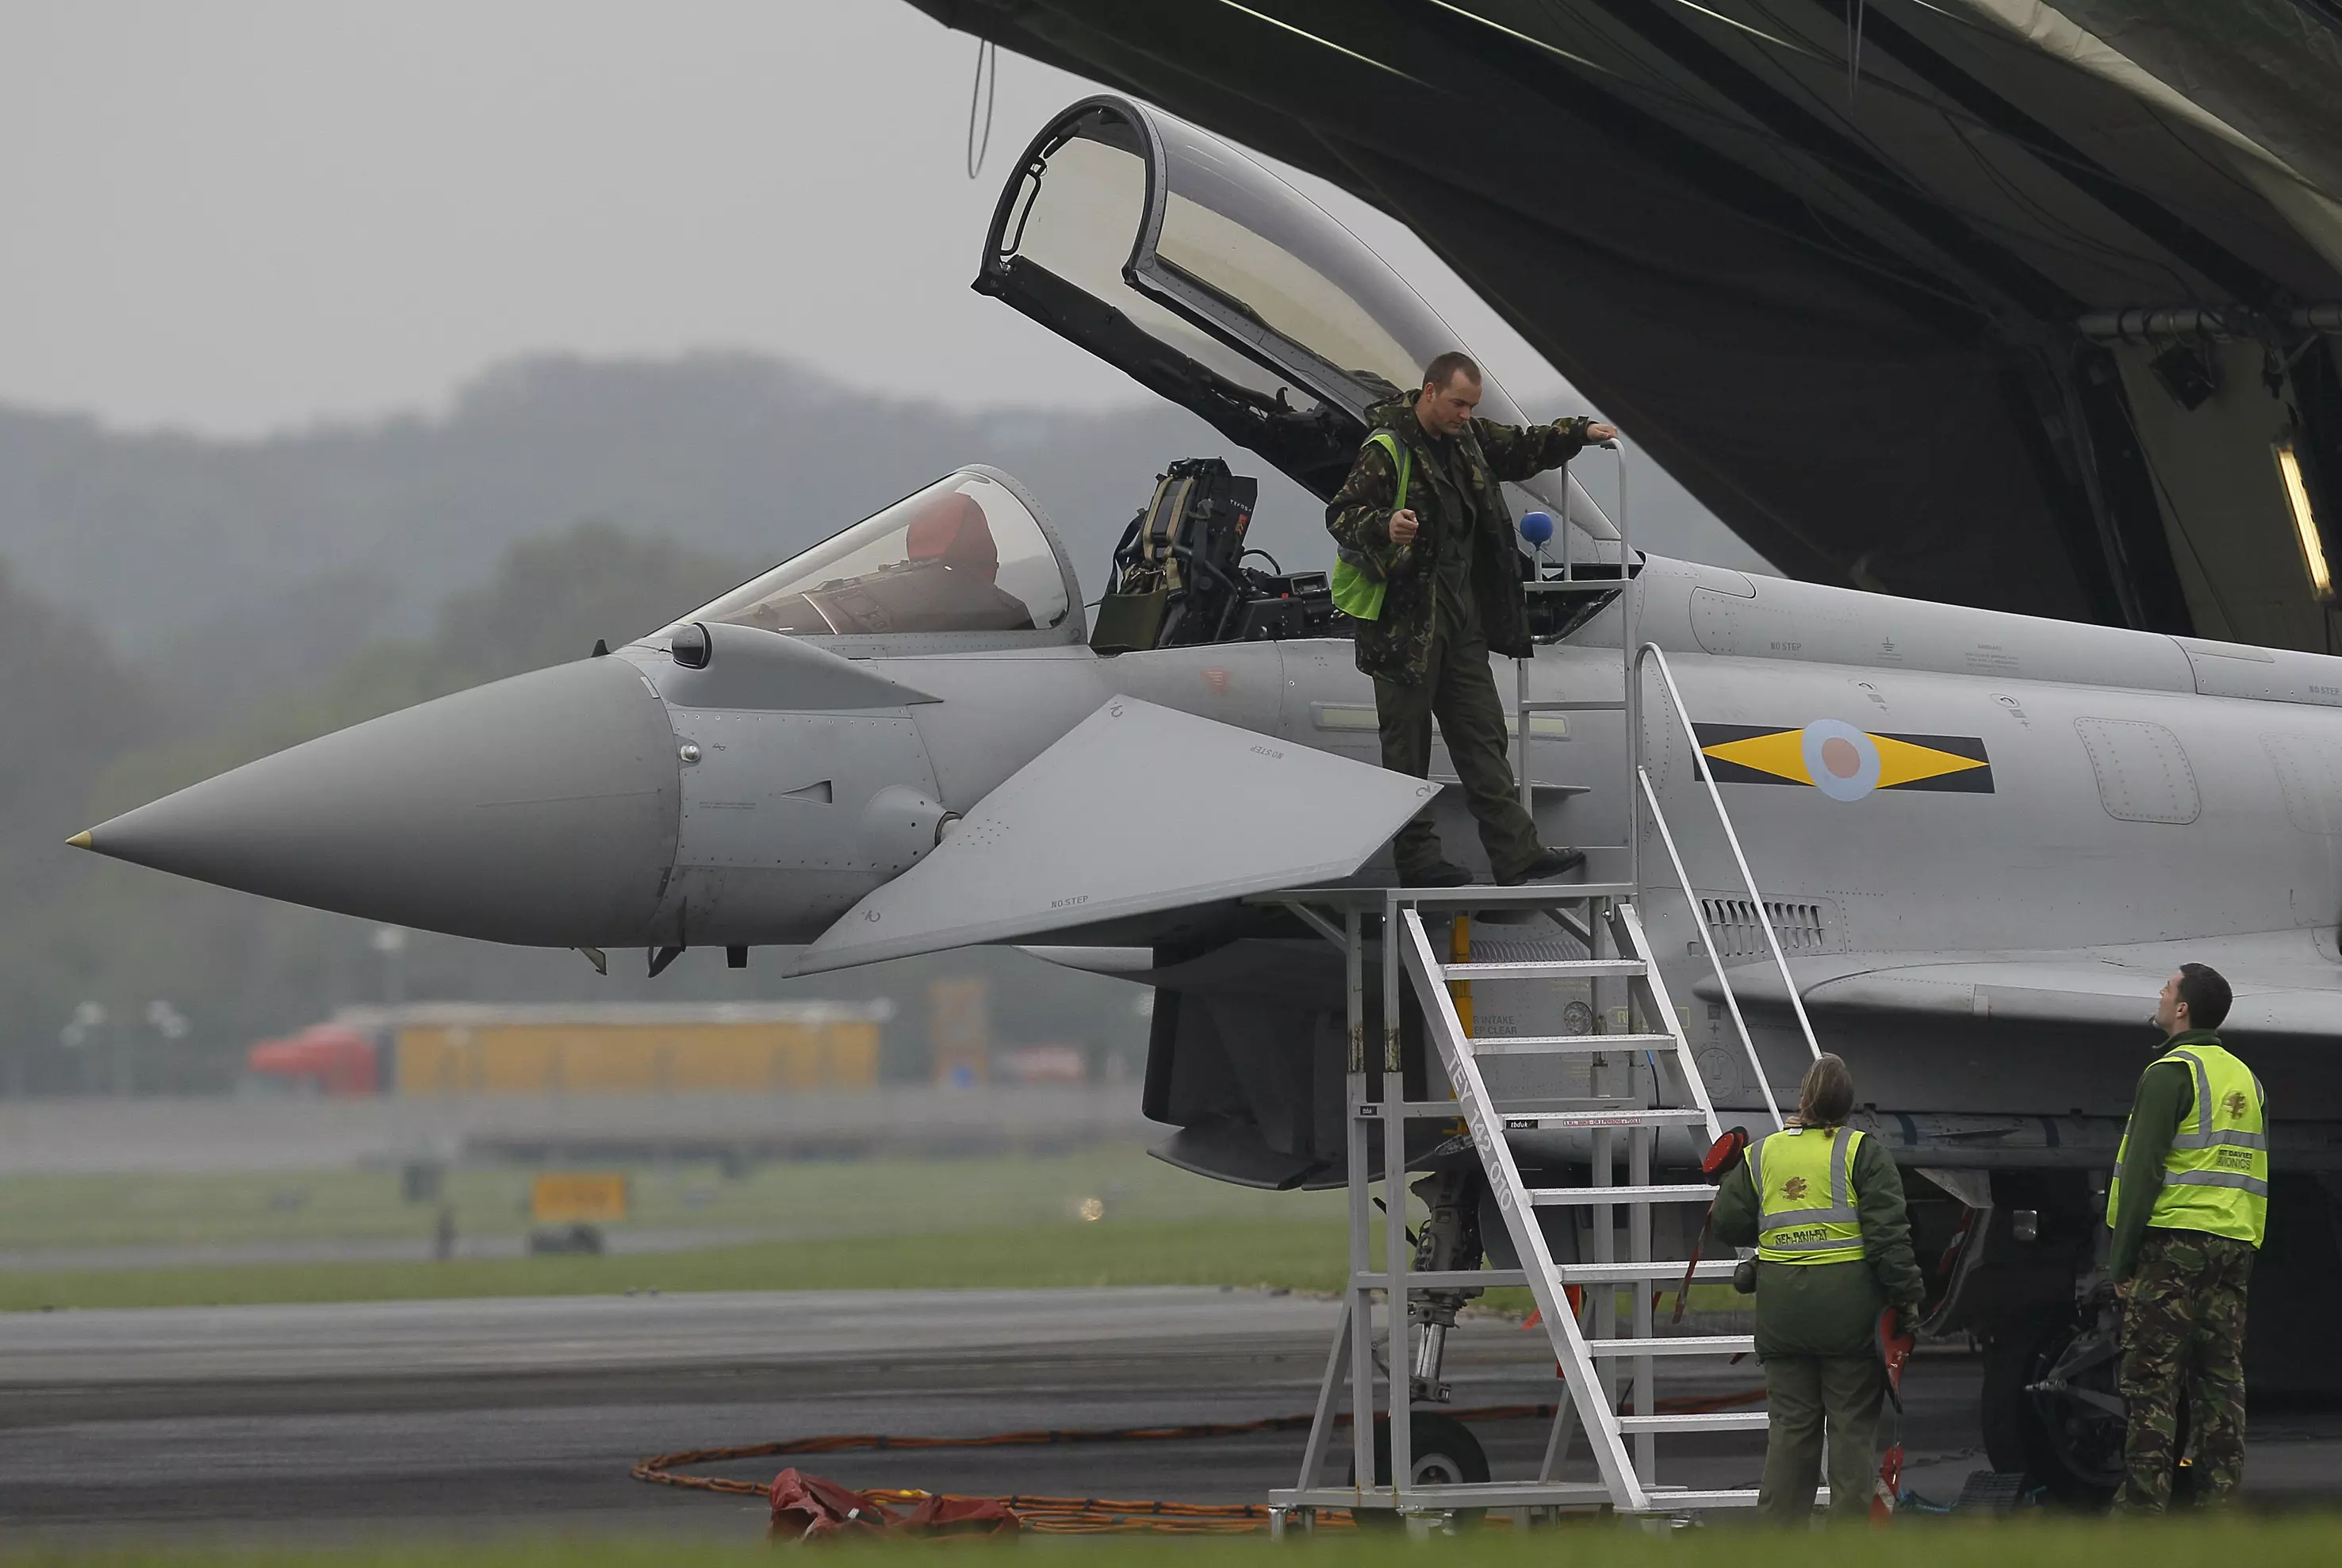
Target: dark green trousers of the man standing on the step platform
1460, 693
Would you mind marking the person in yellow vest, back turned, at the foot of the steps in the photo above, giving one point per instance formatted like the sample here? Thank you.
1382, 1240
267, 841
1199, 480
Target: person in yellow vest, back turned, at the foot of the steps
1826, 1213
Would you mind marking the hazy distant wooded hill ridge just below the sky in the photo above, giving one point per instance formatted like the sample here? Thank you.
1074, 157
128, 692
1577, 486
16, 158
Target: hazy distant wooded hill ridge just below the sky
341, 533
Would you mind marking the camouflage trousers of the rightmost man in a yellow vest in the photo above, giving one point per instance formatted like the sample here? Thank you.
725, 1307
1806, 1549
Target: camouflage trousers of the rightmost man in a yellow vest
2184, 1335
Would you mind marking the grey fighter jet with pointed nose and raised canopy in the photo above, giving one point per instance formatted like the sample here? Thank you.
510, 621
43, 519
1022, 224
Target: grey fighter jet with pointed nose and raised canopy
1985, 840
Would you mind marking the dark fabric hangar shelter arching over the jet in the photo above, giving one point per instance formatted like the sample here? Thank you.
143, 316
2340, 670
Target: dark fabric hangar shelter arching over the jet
1983, 301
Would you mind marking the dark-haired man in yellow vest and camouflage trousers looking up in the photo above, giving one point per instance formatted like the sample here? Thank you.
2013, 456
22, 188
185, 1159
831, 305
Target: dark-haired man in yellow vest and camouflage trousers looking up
2189, 1211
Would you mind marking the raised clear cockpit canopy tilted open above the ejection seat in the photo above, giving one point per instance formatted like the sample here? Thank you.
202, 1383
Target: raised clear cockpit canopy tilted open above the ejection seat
1221, 287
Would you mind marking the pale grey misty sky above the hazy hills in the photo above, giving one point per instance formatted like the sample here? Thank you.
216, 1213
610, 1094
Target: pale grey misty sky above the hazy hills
249, 214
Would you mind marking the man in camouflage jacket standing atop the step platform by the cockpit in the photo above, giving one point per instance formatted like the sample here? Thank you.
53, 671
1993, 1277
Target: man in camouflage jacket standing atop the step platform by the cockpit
1449, 578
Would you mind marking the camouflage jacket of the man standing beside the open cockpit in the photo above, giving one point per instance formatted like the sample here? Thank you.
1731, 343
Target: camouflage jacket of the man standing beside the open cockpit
1360, 519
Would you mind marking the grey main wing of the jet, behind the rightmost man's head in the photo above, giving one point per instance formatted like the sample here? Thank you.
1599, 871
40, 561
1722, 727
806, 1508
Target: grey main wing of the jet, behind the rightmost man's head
2282, 979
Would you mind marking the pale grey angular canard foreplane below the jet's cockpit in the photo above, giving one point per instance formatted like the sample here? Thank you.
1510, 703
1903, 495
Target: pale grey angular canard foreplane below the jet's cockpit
1137, 810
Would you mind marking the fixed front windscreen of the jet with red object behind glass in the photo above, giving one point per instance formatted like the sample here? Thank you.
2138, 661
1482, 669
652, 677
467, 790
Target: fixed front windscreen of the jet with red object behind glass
964, 557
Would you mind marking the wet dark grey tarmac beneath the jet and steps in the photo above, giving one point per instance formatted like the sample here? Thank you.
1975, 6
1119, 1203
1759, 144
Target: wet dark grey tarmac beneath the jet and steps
453, 1417
